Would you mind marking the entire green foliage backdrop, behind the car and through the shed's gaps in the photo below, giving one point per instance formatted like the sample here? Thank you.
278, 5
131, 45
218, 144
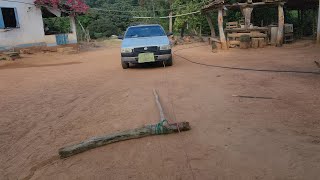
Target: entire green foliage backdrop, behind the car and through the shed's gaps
103, 23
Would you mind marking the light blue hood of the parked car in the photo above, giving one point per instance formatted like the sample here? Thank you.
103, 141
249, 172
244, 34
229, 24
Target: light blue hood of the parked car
145, 41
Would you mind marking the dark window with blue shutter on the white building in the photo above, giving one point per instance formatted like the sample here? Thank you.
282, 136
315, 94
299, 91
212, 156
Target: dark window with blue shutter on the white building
8, 18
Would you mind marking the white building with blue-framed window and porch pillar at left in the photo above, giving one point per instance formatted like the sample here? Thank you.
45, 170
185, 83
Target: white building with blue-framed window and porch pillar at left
21, 25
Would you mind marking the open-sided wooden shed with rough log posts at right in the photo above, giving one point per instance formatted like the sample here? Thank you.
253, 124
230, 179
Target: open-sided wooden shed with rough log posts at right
234, 30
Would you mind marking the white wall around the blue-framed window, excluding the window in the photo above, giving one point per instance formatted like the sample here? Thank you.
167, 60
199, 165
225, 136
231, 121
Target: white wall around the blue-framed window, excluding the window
31, 30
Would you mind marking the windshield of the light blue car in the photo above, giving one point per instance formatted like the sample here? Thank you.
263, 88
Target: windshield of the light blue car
144, 31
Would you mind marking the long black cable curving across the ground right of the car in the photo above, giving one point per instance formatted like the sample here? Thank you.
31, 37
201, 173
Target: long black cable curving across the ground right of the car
240, 68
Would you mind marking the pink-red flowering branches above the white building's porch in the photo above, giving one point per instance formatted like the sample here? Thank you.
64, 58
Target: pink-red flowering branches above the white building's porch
68, 6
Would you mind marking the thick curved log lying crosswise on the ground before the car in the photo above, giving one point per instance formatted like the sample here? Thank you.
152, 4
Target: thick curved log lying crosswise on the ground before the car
149, 130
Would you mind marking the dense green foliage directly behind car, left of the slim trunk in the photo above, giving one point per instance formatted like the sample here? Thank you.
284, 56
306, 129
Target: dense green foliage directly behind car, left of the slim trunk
103, 23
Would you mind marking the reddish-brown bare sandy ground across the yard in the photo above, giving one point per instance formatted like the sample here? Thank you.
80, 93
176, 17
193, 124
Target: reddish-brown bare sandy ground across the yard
49, 100
